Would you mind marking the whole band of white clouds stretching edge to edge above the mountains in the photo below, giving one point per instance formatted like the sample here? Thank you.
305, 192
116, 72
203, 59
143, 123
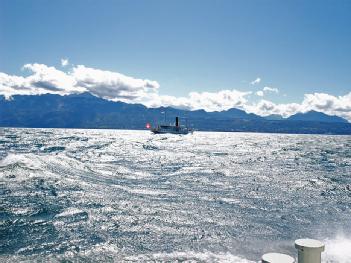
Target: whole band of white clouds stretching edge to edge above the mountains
118, 87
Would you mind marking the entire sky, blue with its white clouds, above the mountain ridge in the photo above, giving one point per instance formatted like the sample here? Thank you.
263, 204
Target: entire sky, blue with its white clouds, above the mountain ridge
263, 56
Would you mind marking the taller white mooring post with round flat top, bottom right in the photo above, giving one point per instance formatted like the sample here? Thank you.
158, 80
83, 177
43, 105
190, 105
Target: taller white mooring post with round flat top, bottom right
309, 250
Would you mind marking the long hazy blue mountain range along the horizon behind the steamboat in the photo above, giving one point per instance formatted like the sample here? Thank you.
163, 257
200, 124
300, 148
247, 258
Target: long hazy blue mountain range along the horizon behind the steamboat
87, 111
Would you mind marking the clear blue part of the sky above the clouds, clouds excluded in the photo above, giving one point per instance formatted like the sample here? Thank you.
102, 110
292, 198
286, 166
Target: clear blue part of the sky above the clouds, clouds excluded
295, 47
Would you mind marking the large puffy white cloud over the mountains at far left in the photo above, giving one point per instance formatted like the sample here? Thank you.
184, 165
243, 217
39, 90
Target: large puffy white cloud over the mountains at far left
104, 84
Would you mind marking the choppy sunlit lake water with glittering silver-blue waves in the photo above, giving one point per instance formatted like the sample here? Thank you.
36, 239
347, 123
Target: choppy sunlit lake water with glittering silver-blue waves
90, 195
